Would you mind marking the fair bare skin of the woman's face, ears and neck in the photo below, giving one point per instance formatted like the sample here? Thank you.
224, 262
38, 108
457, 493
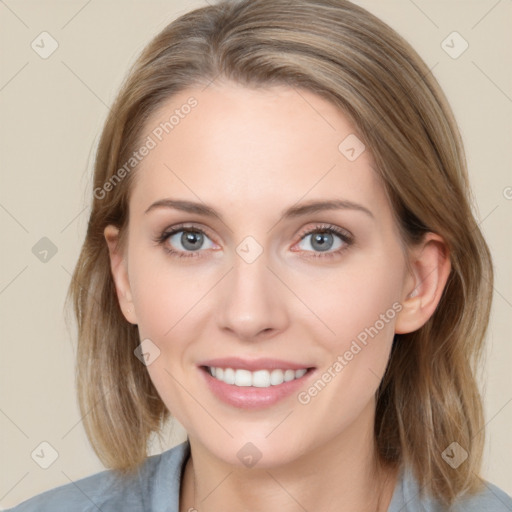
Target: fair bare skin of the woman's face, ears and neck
250, 154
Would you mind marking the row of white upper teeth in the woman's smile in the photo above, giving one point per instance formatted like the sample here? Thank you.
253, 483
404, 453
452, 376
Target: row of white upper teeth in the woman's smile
258, 379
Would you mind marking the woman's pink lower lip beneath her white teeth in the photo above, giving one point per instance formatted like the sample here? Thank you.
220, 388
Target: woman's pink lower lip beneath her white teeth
250, 397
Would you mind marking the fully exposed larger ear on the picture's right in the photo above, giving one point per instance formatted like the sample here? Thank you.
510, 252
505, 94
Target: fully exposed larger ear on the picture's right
423, 287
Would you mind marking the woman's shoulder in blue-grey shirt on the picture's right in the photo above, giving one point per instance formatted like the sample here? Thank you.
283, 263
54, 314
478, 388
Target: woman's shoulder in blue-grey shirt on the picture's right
407, 497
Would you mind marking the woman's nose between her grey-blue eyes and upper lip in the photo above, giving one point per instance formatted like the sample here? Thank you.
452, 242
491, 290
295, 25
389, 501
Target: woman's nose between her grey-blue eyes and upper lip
253, 303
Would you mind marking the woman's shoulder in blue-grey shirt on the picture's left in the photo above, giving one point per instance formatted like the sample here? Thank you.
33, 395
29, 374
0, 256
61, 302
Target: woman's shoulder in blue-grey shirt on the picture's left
154, 486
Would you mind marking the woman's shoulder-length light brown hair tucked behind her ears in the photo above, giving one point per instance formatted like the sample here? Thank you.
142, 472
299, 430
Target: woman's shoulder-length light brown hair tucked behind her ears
428, 397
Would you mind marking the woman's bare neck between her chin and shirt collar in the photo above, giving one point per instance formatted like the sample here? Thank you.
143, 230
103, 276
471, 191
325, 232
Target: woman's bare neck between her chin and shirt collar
341, 475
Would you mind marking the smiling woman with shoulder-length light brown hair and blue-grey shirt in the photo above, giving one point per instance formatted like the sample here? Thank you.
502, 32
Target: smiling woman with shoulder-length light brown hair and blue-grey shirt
282, 254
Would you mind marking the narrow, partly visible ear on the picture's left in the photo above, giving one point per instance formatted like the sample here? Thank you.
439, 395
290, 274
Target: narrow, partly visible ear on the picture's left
119, 269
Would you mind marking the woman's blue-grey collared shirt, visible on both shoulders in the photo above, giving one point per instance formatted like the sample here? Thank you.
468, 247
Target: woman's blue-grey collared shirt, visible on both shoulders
156, 488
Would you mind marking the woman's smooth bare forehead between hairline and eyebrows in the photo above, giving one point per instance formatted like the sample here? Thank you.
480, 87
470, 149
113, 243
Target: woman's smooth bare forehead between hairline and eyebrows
229, 143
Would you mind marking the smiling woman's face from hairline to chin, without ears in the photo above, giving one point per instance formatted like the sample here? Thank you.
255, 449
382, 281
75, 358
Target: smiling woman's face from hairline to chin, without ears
256, 272
